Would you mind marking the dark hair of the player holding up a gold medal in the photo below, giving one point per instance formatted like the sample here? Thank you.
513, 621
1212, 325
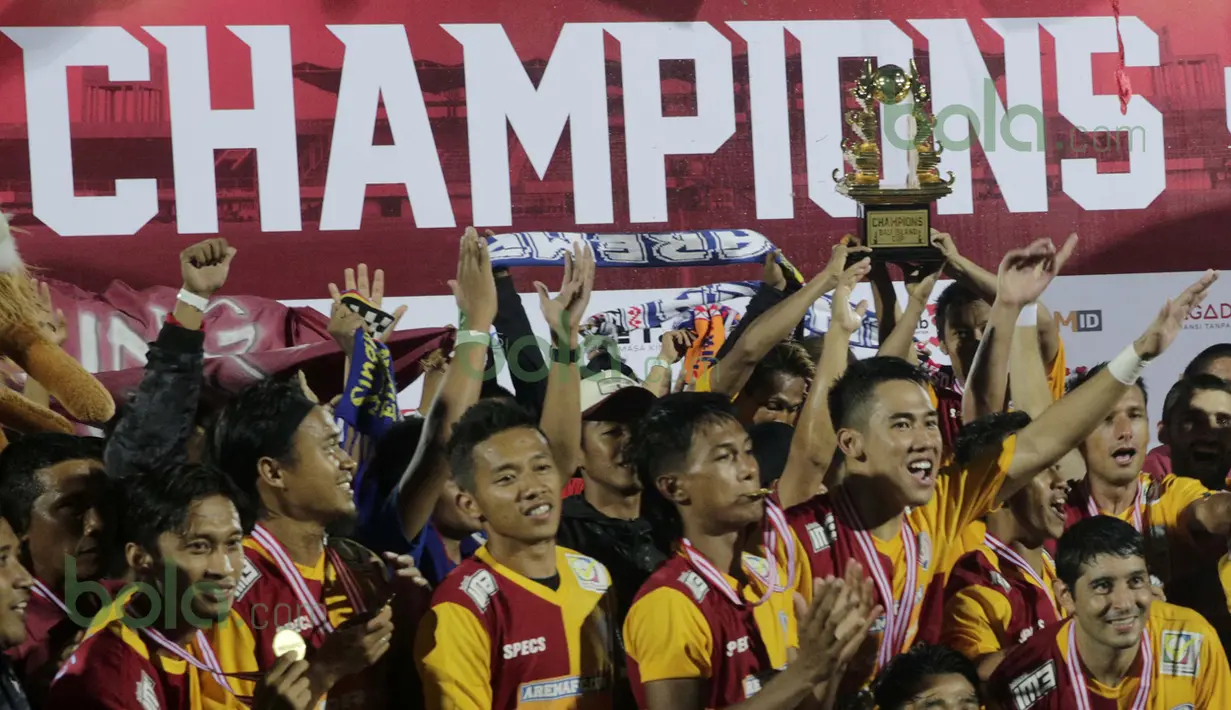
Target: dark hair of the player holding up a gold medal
158, 503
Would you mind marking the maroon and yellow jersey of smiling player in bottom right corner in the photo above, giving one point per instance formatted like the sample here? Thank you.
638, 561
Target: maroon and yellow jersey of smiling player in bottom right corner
1190, 670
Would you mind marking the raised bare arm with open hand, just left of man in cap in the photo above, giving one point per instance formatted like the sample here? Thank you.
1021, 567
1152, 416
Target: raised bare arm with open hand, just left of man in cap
561, 419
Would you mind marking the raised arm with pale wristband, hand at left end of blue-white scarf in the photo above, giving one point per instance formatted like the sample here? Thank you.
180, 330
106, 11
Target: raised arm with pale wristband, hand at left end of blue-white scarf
476, 293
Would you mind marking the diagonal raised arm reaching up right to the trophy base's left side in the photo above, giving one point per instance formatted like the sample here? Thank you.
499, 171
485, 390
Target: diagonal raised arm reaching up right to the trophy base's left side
732, 372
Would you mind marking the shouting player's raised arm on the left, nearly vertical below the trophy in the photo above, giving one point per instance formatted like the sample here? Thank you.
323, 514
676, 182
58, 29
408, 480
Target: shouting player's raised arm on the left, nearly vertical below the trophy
814, 442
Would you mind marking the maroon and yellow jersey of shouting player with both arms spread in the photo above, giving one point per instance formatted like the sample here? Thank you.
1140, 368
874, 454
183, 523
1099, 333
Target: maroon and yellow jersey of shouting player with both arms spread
962, 498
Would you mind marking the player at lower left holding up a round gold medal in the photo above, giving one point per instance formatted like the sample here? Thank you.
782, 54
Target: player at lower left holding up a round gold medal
174, 640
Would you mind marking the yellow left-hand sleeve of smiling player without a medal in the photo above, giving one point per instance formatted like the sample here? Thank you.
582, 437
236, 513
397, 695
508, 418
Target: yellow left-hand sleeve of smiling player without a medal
454, 655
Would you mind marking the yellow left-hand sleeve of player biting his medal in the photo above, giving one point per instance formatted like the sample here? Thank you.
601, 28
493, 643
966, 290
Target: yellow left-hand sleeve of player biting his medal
668, 638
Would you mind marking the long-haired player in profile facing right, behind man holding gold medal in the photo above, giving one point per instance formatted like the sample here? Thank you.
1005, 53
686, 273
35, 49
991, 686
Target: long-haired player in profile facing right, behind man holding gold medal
284, 450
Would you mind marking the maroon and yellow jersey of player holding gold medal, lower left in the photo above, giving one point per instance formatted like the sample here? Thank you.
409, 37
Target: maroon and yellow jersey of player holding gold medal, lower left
116, 668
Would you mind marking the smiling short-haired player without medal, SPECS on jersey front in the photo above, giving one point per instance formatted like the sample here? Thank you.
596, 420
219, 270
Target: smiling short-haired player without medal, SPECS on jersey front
524, 622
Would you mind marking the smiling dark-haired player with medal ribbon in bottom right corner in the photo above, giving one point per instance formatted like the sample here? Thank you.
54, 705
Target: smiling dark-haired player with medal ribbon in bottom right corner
1121, 648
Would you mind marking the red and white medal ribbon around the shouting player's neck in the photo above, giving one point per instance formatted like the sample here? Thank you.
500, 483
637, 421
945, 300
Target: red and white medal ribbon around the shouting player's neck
898, 612
